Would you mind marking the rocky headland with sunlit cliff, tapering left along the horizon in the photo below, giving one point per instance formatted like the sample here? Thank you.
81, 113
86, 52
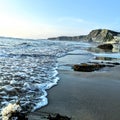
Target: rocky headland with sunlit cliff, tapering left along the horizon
98, 35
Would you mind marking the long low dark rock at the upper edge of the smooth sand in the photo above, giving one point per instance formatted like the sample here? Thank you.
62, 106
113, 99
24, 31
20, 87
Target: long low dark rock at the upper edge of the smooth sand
88, 67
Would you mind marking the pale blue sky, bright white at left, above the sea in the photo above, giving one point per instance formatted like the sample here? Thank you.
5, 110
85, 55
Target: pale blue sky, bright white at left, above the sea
50, 18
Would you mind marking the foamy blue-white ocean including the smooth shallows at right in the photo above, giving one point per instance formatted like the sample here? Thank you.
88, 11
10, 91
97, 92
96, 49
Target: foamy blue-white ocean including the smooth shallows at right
29, 67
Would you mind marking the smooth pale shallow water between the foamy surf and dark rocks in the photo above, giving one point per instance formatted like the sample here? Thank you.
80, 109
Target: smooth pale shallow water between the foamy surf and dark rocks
89, 54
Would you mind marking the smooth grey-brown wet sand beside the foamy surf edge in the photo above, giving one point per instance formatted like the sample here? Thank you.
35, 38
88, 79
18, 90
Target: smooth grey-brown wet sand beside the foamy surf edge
84, 96
